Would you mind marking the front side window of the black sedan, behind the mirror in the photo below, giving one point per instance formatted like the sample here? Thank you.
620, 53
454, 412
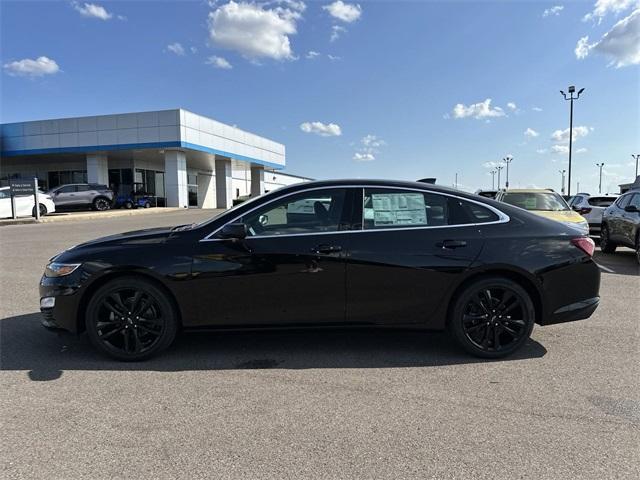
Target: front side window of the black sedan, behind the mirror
314, 211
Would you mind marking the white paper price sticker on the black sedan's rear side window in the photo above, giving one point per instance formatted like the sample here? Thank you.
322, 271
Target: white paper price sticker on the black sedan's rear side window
398, 209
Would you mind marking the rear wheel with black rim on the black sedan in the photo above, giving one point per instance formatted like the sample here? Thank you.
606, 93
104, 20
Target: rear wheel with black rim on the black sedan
482, 317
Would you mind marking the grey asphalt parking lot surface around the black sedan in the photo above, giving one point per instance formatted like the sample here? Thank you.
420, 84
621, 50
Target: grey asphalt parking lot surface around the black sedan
329, 404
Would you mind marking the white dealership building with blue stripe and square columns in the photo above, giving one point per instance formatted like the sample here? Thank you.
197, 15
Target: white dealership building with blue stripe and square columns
184, 159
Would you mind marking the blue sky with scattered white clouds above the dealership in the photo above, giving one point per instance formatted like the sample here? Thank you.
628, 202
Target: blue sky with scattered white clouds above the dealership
368, 89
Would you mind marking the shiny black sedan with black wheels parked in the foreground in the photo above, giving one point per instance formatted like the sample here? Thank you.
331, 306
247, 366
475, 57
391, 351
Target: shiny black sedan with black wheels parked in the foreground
329, 254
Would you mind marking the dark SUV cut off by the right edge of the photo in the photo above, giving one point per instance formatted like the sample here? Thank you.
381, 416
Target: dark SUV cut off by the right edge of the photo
621, 224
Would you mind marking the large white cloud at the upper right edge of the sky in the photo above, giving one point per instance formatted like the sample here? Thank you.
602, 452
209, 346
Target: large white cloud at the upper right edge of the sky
621, 44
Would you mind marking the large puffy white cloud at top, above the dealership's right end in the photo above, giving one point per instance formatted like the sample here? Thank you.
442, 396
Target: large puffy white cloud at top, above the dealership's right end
254, 30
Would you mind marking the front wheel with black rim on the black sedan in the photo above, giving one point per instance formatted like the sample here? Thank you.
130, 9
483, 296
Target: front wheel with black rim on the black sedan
131, 319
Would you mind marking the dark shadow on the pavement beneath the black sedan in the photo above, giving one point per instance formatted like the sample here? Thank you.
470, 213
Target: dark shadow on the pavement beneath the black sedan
25, 345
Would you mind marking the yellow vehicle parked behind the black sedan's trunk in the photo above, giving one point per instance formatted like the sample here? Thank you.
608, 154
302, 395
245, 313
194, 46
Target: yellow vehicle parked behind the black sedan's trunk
545, 203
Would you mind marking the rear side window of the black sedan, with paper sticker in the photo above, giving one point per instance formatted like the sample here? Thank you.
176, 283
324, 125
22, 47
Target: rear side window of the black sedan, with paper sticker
392, 208
